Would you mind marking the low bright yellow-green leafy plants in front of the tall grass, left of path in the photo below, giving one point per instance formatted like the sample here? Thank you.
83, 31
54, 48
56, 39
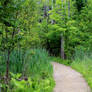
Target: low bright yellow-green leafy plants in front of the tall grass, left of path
34, 85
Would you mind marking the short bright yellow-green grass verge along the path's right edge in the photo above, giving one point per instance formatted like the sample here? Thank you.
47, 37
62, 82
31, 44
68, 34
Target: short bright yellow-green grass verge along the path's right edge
85, 68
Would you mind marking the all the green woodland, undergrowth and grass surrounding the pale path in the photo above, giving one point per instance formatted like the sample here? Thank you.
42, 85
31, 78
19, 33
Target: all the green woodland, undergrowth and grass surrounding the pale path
35, 32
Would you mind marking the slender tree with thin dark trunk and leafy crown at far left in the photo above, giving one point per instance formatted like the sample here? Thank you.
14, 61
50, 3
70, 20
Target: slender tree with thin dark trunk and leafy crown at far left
13, 15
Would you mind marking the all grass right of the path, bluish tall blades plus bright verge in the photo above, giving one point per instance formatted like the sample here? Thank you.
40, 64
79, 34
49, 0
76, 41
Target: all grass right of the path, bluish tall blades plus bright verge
83, 63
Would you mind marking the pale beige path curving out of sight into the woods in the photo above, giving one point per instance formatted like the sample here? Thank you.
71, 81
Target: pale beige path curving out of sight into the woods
68, 80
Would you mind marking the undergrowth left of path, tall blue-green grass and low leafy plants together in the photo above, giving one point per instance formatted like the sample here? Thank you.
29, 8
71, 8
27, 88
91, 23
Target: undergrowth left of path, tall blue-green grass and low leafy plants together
35, 69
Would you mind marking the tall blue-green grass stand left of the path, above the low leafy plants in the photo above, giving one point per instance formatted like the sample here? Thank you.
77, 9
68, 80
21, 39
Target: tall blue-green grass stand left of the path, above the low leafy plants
31, 61
